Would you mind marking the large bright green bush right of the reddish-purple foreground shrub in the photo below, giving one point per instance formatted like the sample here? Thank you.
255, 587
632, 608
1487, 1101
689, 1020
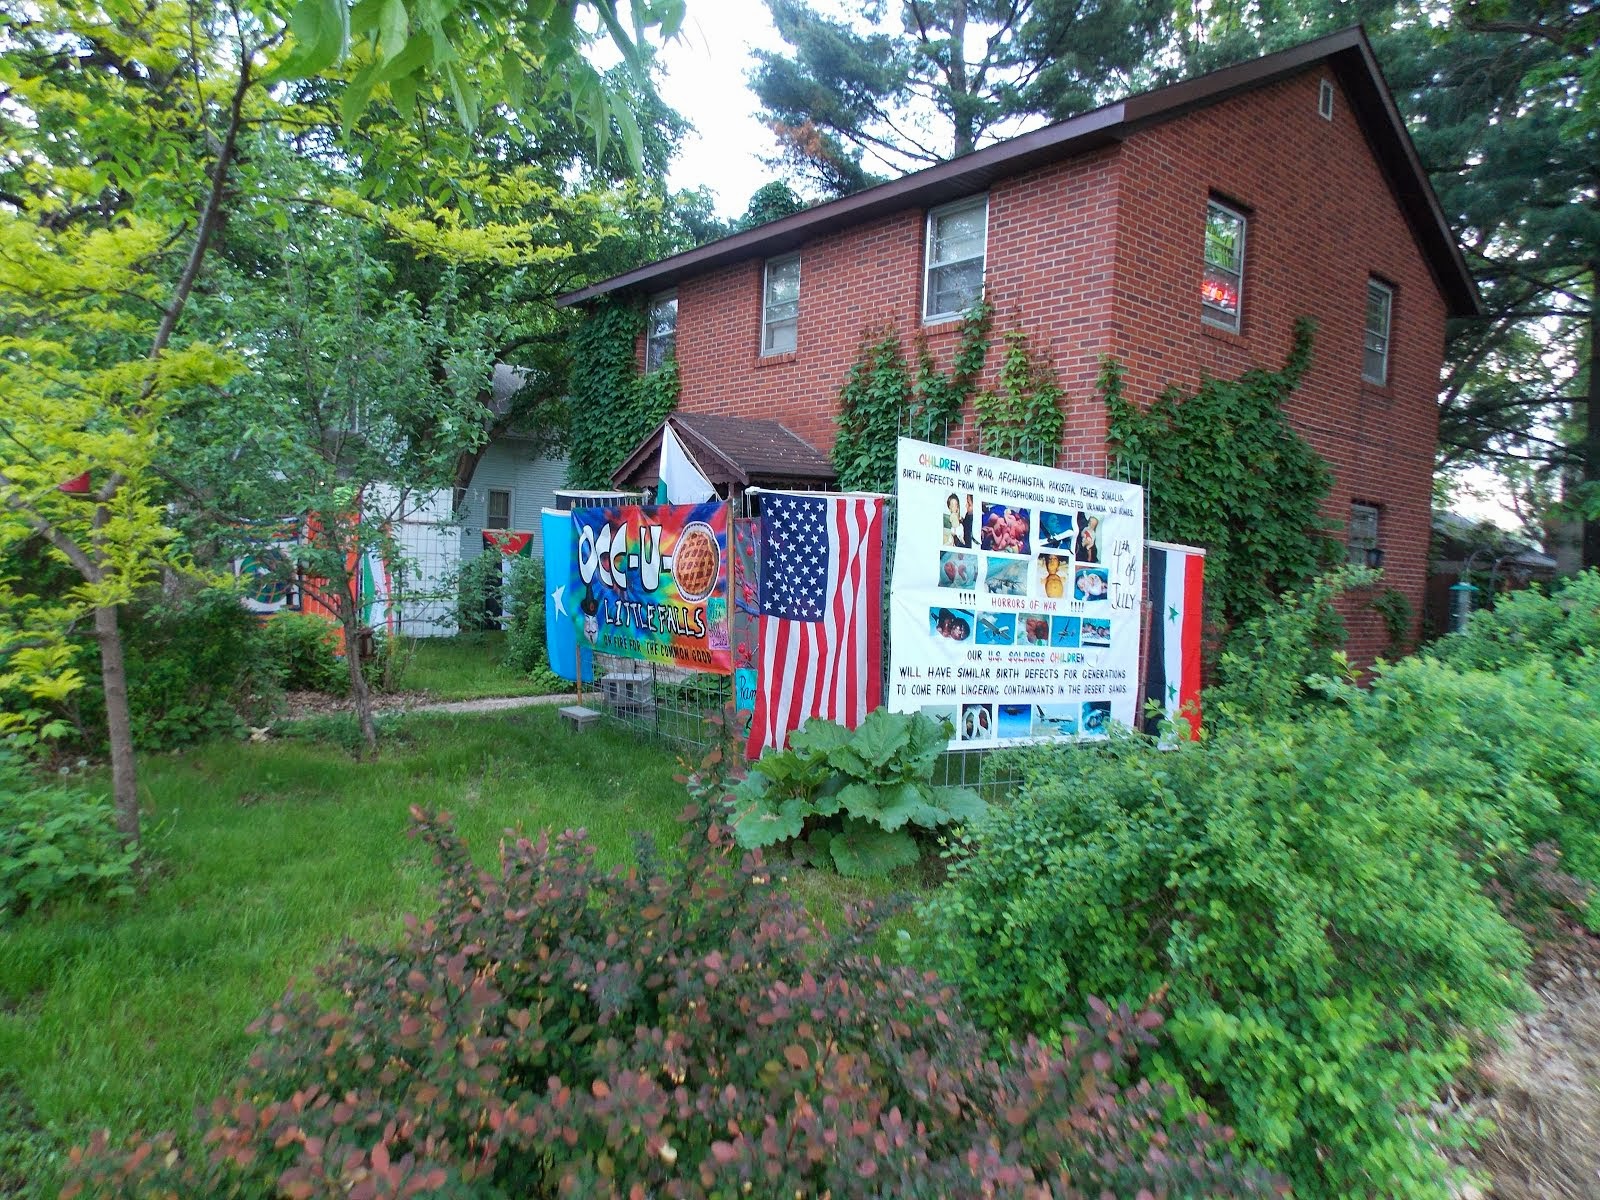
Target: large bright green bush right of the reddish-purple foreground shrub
1326, 948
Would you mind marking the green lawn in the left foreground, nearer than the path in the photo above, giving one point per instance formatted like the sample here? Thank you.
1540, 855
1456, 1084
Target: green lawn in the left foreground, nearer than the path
268, 857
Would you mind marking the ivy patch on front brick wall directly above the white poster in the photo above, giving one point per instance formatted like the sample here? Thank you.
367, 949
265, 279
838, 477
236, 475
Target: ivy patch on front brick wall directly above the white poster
884, 399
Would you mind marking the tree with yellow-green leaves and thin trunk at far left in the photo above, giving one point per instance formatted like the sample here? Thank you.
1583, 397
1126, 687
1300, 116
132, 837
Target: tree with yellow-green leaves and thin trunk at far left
124, 132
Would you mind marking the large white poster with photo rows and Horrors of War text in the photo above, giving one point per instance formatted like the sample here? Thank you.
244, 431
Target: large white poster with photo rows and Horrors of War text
1015, 604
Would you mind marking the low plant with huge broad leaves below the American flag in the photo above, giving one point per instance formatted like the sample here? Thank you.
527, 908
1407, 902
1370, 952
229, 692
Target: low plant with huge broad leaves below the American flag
854, 796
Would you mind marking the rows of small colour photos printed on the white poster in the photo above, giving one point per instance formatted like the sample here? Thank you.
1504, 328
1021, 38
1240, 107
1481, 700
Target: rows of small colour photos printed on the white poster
1004, 556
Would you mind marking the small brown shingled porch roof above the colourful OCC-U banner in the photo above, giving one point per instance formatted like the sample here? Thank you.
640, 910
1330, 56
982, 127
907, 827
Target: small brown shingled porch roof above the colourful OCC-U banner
730, 450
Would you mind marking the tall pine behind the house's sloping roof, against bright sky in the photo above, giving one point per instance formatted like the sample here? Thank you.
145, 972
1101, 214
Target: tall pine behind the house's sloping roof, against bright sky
953, 76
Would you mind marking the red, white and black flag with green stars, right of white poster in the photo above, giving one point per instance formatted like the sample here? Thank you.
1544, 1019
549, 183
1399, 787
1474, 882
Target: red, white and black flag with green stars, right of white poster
1172, 666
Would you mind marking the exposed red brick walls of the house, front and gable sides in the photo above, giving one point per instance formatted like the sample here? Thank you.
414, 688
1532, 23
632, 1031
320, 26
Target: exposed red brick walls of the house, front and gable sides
1103, 255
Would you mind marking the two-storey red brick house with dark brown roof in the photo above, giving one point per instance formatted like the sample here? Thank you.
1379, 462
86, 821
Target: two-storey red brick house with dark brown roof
1182, 231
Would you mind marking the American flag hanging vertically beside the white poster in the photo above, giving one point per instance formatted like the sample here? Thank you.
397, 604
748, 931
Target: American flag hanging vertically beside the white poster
822, 614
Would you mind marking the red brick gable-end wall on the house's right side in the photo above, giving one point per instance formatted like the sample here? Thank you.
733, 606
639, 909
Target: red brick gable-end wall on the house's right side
1322, 220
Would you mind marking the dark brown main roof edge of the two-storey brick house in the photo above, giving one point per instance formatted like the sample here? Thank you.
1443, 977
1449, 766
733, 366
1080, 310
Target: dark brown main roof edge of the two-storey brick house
1348, 54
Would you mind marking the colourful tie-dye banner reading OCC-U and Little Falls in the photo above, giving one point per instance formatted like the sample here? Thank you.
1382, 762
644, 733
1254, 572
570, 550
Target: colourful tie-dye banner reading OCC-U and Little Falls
650, 582
